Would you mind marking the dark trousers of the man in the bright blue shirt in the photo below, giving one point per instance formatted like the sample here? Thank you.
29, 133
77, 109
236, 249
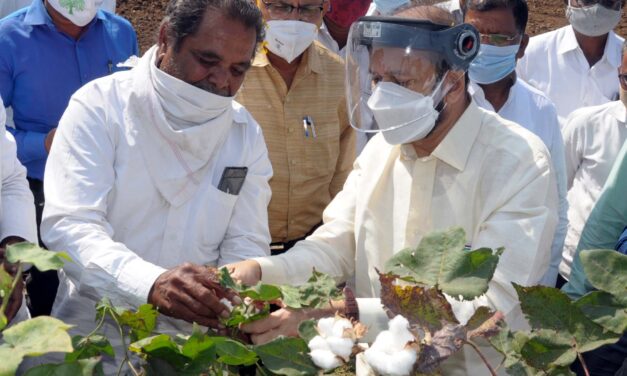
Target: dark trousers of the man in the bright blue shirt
41, 287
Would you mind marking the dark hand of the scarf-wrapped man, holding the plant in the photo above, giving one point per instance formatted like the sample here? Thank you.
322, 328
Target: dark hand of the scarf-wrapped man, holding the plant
189, 292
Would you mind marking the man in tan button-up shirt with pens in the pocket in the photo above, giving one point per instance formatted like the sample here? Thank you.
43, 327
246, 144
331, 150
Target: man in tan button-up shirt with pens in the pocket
295, 90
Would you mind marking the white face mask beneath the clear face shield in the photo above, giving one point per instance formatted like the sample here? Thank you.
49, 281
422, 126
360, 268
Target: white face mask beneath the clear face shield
403, 115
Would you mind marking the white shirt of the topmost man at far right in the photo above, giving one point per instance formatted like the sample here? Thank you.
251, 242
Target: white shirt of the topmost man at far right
555, 64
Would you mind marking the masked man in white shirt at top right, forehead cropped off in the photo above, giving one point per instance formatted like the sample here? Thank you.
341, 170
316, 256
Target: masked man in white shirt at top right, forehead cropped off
575, 66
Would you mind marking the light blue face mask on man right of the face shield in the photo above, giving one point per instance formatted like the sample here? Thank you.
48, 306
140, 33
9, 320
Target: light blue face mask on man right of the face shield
493, 63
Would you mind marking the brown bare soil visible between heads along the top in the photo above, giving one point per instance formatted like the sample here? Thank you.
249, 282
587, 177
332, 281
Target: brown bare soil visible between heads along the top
146, 15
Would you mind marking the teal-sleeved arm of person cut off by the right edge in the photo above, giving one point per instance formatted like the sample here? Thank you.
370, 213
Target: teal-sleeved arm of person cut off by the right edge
604, 225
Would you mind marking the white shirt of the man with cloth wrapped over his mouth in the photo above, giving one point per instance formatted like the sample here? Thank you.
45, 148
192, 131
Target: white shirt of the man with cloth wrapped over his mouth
122, 201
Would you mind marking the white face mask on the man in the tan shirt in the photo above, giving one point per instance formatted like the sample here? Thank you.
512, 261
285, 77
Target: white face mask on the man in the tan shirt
289, 39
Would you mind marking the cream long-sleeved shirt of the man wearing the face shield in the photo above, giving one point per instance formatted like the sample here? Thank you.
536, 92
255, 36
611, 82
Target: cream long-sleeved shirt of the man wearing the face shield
489, 176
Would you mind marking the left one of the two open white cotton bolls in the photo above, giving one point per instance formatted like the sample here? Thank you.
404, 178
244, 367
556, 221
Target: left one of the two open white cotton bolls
335, 343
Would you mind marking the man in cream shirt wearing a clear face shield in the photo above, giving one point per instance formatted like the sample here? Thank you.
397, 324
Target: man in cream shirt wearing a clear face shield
436, 161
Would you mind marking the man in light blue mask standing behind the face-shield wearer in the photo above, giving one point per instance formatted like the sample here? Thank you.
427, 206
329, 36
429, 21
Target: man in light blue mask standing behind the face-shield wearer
495, 87
